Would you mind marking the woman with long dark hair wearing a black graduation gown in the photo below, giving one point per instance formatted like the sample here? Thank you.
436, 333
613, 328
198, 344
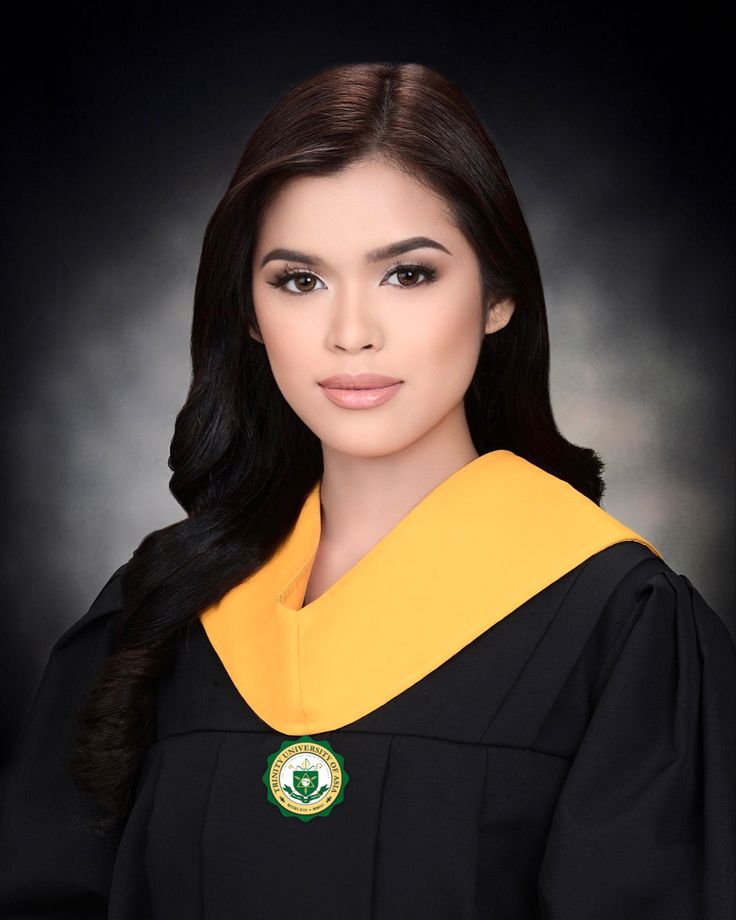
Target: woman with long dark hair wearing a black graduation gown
396, 661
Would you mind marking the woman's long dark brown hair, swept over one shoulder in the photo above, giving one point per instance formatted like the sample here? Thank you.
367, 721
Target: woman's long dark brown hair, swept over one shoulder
243, 462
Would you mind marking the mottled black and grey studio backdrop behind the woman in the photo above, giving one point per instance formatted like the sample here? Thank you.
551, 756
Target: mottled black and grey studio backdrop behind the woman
123, 125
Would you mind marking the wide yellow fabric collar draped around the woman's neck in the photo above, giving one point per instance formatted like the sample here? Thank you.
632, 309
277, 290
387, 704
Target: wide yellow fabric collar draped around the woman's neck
481, 543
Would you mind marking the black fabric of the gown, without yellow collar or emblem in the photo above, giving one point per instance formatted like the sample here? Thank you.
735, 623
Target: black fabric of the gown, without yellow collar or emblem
577, 761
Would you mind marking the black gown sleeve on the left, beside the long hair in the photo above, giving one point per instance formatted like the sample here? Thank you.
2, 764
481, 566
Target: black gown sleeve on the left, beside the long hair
52, 864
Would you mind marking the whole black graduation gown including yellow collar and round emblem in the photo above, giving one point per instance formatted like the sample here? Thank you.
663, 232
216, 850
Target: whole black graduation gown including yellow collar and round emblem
510, 708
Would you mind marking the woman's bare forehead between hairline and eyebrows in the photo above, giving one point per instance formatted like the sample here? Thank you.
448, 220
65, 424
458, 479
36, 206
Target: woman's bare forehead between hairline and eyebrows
363, 205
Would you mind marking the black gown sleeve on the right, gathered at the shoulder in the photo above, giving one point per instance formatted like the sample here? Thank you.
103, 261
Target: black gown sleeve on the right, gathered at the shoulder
645, 825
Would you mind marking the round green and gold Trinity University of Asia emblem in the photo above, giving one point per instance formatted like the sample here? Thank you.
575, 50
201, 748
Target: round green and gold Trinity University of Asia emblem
305, 778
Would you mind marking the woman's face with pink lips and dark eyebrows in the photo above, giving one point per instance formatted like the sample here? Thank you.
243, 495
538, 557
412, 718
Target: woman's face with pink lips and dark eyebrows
335, 305
